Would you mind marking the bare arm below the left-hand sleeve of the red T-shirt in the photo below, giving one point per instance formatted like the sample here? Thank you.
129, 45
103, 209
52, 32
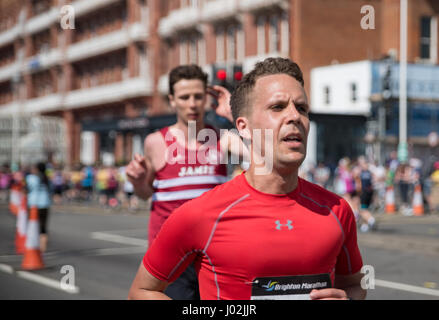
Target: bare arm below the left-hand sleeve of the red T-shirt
146, 287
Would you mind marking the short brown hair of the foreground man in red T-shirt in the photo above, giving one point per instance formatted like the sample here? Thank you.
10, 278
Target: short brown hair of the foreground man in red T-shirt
240, 99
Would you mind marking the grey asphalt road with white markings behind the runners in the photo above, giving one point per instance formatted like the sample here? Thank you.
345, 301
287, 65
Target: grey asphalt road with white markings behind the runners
104, 249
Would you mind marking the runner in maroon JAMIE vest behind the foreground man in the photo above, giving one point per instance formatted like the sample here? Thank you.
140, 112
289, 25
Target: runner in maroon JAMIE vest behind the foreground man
174, 169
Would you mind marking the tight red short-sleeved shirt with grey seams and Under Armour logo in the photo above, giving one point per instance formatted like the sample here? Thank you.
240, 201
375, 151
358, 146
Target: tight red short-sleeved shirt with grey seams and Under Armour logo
236, 234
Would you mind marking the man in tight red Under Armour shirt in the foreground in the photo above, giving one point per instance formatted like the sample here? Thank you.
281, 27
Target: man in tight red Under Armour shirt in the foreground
265, 234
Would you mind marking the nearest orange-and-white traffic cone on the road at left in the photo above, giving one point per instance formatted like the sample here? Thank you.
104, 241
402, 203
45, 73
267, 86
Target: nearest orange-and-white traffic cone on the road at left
32, 259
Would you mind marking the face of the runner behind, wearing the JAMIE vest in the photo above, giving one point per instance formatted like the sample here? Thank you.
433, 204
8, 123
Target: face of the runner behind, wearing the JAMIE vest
189, 100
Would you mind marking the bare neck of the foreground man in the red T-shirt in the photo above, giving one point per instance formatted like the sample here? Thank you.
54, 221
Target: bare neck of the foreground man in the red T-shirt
275, 182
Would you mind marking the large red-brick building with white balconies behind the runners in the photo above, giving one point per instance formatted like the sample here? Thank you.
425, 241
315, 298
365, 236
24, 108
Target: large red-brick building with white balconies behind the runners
107, 77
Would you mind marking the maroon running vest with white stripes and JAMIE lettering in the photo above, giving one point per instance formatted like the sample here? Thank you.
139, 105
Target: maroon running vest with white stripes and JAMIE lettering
183, 180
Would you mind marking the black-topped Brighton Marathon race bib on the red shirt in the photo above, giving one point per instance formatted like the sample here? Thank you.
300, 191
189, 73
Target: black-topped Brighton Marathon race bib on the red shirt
288, 287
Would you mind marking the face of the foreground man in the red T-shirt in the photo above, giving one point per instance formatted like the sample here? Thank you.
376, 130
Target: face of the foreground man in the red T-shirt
279, 104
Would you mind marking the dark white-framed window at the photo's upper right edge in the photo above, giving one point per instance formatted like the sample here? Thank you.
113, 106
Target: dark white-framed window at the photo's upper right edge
429, 38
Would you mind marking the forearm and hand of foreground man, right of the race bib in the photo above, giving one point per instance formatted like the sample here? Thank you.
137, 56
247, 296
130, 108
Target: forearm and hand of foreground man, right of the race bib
346, 287
